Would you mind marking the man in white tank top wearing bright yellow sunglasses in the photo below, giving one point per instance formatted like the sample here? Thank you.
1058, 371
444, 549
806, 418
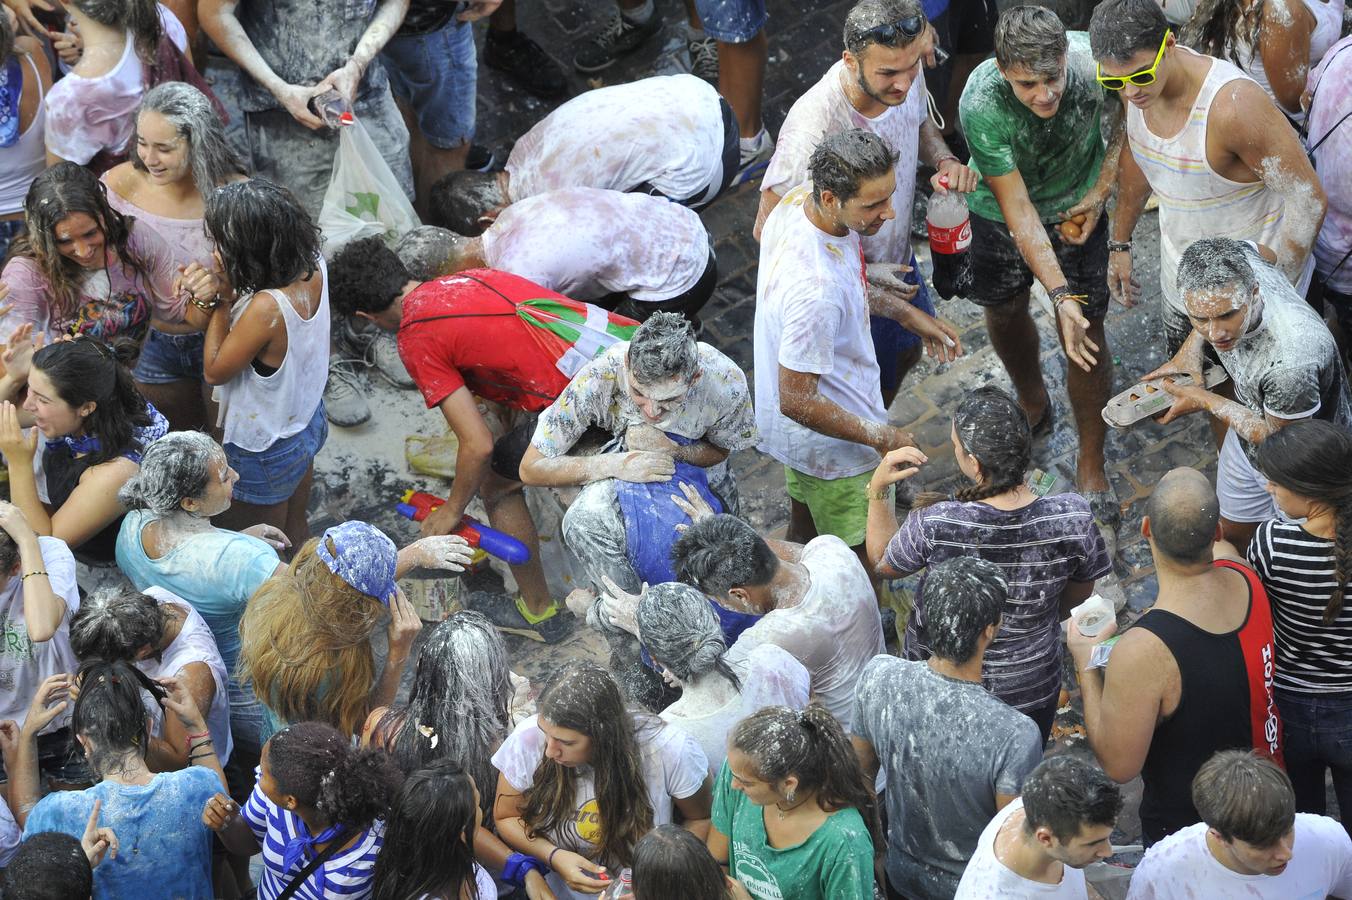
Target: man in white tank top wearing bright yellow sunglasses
1258, 184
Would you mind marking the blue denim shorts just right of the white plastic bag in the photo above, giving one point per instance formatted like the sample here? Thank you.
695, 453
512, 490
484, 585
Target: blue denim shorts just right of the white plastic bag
436, 74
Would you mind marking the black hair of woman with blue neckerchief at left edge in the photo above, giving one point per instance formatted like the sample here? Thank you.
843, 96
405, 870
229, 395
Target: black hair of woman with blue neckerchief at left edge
86, 371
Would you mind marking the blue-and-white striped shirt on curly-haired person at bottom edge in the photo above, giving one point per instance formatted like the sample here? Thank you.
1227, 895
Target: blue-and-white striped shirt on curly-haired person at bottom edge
345, 876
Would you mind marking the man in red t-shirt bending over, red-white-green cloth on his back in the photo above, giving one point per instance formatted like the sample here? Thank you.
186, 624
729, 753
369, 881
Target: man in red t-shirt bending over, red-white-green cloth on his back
482, 343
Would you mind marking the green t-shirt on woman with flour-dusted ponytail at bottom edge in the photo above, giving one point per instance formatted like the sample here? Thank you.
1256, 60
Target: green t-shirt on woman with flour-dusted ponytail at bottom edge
835, 864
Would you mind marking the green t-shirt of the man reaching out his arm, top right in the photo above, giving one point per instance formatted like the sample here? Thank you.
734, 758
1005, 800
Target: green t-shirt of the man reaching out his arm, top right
1059, 157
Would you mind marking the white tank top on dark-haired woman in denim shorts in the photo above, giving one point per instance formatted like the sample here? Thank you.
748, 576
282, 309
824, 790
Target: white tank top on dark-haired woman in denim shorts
258, 411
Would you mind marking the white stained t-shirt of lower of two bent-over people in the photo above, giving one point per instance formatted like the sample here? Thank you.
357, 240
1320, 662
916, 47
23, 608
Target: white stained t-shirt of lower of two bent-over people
587, 243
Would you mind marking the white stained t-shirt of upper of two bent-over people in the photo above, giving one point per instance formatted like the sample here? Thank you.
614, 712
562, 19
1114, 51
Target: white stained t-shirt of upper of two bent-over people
665, 132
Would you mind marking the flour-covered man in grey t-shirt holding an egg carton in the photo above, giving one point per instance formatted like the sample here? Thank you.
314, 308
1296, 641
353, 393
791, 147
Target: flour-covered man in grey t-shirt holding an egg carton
1281, 357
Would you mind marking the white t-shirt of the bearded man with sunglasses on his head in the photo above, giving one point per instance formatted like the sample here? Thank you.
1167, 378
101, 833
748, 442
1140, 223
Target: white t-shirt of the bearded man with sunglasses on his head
825, 110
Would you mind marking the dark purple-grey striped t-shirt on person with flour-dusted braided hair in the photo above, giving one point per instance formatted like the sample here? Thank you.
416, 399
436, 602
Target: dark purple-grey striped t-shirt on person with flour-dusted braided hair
1039, 548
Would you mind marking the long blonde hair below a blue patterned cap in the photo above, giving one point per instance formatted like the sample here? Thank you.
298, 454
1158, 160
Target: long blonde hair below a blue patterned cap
306, 644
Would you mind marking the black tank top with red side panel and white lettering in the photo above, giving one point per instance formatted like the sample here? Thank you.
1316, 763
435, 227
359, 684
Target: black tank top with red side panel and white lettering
1226, 702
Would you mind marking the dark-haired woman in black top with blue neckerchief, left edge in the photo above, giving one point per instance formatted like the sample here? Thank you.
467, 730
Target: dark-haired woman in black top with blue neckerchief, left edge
93, 429
